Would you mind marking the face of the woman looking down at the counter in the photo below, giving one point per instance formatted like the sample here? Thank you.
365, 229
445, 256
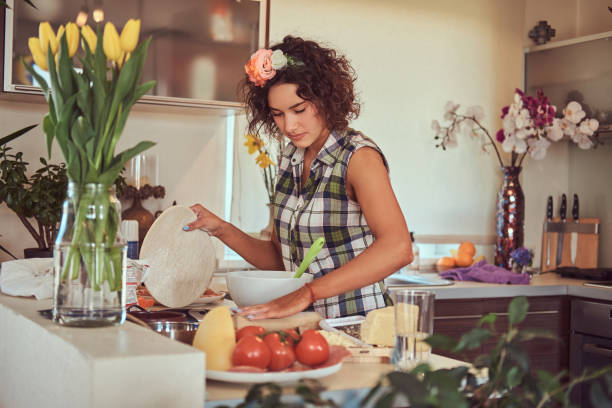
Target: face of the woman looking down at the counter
297, 119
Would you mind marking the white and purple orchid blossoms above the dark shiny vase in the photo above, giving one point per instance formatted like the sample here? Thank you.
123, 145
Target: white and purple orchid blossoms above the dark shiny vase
529, 126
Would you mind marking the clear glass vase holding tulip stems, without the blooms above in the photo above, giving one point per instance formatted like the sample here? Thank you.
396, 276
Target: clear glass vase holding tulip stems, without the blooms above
90, 259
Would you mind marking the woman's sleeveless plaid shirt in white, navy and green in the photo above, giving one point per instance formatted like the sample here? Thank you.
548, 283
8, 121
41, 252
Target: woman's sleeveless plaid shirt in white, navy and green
323, 209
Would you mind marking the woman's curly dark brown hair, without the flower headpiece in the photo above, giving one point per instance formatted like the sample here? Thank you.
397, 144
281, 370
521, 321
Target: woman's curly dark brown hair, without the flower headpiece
323, 77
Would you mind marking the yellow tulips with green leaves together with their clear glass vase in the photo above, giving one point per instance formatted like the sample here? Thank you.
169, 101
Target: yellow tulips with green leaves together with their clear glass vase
88, 109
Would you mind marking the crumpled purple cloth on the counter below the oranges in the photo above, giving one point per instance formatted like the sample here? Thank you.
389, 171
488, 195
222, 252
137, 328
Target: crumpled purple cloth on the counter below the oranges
484, 272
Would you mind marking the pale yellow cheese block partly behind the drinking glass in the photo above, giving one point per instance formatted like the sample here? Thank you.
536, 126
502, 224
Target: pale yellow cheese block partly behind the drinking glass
379, 325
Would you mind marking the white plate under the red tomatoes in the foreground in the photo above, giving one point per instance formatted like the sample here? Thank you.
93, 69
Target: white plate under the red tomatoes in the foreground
282, 377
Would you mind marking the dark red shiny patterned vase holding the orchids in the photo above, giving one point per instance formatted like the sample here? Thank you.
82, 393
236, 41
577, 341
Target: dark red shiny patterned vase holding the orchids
510, 216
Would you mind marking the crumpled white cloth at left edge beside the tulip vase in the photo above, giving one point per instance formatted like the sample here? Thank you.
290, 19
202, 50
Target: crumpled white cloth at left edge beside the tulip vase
27, 277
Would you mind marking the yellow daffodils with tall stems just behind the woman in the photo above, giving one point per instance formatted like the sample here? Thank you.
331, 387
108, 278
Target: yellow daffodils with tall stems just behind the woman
265, 159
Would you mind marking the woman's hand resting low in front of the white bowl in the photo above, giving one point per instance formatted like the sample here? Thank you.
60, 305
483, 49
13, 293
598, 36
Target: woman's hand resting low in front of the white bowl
287, 305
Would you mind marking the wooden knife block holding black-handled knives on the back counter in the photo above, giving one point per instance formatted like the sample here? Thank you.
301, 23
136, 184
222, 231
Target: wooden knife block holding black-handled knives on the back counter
587, 230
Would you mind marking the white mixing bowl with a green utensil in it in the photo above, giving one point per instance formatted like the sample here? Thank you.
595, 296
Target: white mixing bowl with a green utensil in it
254, 287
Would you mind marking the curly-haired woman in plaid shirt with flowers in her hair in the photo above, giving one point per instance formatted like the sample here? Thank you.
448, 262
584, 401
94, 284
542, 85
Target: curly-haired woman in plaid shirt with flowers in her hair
333, 182
